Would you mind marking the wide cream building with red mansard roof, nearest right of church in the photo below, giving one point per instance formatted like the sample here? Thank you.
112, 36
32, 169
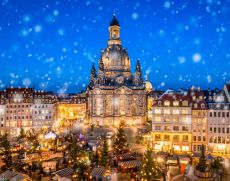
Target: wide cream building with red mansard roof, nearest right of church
172, 122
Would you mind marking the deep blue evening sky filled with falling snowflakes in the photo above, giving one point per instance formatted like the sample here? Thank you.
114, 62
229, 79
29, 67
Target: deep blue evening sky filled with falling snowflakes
51, 44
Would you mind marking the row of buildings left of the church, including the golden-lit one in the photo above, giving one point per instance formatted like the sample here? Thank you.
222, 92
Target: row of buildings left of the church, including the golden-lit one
27, 108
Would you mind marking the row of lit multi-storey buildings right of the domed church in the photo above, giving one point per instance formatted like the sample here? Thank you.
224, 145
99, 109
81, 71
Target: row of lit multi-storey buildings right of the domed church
184, 120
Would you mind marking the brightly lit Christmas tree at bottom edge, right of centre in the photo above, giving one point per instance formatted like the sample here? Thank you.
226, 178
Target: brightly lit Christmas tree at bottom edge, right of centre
149, 169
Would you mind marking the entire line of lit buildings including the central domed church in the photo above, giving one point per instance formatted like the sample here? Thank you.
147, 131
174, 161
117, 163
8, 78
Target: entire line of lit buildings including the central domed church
182, 120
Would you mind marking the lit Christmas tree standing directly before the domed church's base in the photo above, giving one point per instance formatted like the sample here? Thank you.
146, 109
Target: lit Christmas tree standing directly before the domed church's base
120, 142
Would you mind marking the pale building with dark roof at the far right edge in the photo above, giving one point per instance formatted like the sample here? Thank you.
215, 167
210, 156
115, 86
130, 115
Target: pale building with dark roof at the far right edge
218, 119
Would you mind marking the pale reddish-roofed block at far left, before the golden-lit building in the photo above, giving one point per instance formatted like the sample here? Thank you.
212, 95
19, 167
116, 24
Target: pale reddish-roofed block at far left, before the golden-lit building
25, 108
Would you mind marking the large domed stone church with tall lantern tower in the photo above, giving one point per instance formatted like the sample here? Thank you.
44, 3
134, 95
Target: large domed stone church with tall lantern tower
116, 94
